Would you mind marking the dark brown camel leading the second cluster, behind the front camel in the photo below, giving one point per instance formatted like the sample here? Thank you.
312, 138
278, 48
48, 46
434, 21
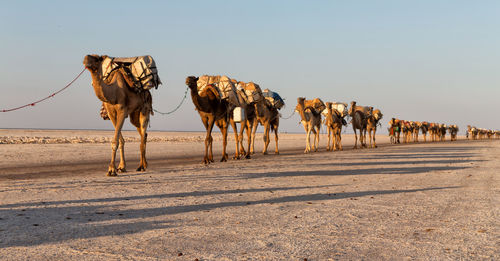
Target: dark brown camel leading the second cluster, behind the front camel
213, 110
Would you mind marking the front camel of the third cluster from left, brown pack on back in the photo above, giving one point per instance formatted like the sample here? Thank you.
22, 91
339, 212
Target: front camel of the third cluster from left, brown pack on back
311, 120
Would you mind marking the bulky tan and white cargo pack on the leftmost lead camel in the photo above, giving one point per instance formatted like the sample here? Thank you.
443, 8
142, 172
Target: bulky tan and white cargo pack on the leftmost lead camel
141, 69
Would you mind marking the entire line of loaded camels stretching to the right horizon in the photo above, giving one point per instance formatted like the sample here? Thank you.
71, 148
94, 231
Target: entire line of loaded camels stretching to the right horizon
123, 86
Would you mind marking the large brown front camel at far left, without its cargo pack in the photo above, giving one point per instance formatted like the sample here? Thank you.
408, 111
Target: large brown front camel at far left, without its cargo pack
121, 100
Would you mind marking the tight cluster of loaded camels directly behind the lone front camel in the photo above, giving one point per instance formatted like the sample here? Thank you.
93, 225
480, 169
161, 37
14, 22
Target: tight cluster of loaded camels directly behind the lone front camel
225, 101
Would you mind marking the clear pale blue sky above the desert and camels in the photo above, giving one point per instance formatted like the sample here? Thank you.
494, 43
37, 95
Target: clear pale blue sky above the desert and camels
433, 60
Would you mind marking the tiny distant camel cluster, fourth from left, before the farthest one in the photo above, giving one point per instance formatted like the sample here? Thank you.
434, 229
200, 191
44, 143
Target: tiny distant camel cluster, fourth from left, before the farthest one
412, 129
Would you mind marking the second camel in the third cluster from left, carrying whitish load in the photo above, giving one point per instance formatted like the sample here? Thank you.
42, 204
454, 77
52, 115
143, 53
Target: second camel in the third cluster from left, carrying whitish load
333, 121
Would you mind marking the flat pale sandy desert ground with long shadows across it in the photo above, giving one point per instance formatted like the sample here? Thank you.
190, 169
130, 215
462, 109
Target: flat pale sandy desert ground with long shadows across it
437, 201
